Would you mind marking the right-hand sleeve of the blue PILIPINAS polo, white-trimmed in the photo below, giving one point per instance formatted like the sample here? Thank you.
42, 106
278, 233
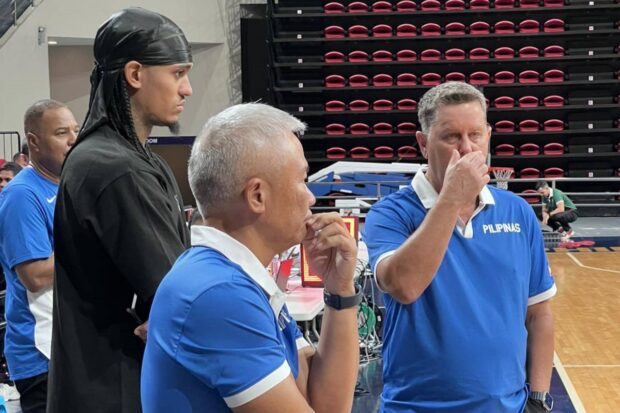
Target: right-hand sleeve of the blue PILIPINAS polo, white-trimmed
542, 286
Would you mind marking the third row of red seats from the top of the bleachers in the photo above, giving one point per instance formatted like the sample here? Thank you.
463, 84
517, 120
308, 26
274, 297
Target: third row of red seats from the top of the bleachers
478, 53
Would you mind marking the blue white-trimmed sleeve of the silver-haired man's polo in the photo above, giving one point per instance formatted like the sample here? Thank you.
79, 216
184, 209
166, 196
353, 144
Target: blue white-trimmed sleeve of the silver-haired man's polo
232, 345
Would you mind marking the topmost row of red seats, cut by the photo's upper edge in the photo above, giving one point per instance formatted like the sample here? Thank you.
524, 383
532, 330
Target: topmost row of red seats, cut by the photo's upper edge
408, 6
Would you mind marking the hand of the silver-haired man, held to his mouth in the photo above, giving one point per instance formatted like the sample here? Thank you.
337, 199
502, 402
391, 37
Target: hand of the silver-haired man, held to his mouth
331, 252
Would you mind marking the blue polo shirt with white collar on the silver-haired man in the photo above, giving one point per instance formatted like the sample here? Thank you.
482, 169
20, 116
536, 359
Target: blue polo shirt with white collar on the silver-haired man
219, 333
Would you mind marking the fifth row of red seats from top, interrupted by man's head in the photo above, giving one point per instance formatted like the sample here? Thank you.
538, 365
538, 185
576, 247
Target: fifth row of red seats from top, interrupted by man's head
501, 102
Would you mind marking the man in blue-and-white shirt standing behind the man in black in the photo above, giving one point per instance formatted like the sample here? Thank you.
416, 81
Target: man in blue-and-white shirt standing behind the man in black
27, 251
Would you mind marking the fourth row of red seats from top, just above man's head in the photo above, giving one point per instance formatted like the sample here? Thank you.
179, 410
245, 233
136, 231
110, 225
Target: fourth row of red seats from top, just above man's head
433, 79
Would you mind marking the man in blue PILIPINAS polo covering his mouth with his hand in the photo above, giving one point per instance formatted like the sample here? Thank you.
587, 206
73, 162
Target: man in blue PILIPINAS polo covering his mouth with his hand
465, 276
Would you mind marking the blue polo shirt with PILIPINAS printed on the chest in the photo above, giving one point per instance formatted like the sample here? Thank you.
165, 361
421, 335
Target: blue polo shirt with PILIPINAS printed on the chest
461, 346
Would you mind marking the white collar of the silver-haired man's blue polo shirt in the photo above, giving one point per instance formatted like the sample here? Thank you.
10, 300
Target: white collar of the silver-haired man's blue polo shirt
242, 256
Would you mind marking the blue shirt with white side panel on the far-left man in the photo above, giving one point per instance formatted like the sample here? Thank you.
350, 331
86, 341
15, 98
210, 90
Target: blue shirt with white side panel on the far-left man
26, 221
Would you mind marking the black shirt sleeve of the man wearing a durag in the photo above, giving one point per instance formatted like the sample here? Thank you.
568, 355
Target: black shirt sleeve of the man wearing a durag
138, 228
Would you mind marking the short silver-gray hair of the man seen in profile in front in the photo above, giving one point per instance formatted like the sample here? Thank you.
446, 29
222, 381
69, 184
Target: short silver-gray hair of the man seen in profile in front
222, 154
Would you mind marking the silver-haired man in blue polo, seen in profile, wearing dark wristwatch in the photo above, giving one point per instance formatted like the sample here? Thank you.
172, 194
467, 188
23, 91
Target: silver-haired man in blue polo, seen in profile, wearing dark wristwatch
220, 337
